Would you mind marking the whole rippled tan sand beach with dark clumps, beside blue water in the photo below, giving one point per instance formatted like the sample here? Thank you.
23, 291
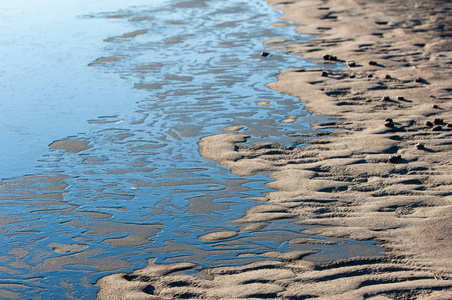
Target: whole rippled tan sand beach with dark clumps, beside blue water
344, 178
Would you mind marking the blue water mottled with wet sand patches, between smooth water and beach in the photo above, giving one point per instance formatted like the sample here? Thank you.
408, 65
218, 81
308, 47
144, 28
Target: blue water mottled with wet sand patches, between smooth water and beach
135, 186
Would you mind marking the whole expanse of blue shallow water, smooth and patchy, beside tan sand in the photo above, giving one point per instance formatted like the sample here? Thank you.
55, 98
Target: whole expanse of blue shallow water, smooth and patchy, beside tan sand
176, 71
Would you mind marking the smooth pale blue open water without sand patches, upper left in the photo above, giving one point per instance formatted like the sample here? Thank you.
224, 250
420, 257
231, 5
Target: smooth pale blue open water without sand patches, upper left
47, 89
